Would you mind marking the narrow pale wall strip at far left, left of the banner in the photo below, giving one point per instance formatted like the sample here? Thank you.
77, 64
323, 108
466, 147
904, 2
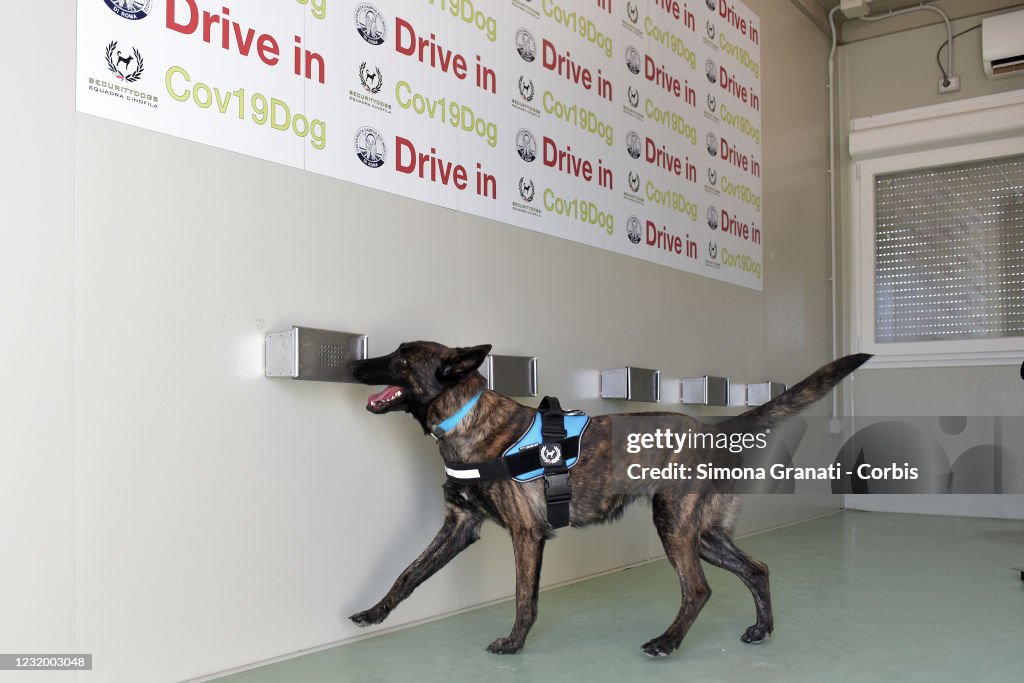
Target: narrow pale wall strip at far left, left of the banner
37, 274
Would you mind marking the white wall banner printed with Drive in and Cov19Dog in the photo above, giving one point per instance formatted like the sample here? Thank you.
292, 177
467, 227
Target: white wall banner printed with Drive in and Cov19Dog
629, 125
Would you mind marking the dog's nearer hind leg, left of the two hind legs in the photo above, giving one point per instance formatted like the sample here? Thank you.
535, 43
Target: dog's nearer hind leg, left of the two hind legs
677, 526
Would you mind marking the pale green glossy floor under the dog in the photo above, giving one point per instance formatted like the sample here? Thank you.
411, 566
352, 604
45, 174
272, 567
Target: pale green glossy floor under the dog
859, 596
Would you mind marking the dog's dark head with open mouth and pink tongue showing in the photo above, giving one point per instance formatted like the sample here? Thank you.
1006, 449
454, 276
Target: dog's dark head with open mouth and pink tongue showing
416, 374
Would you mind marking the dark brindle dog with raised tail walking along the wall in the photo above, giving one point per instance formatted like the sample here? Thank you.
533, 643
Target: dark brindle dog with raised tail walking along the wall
434, 383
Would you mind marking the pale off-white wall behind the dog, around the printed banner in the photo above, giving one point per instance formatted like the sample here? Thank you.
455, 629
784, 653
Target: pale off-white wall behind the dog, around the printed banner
187, 516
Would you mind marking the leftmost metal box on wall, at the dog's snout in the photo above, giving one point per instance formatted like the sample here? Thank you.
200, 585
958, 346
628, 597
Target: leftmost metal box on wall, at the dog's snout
307, 354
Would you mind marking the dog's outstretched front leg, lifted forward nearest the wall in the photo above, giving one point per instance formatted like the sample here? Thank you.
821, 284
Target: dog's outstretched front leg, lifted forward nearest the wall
459, 532
